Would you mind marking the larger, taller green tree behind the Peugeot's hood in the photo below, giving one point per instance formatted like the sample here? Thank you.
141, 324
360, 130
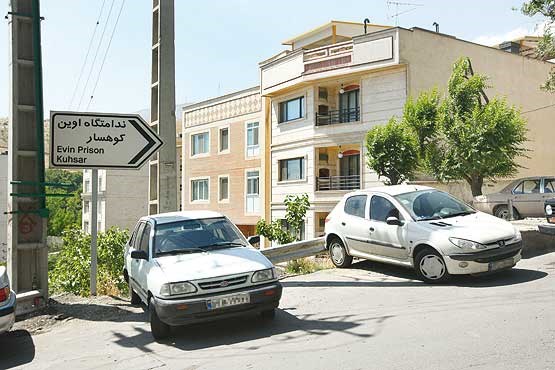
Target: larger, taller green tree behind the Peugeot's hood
477, 138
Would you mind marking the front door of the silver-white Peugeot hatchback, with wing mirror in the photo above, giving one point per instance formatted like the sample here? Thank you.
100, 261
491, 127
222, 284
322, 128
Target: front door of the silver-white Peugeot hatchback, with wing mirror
386, 240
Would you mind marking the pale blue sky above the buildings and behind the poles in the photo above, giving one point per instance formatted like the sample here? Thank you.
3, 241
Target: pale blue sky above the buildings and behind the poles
218, 42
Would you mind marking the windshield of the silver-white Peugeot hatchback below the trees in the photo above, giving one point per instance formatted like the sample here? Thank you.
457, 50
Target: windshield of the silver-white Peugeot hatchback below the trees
433, 205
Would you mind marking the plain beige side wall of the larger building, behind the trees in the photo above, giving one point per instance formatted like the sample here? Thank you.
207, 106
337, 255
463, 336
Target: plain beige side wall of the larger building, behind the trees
430, 57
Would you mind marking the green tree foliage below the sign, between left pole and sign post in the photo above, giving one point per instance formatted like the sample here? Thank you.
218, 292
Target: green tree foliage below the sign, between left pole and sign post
65, 212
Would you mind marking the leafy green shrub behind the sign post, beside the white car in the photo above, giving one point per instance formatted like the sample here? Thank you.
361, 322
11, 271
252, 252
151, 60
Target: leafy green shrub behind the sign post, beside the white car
71, 272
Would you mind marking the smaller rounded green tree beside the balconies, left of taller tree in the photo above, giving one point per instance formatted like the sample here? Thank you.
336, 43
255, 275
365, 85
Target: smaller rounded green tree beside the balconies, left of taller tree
392, 151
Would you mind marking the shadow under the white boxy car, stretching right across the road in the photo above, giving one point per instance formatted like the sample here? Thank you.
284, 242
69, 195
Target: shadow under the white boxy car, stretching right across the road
285, 327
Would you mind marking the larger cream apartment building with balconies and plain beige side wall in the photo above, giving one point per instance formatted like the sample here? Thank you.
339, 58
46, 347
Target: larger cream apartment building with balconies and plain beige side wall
337, 81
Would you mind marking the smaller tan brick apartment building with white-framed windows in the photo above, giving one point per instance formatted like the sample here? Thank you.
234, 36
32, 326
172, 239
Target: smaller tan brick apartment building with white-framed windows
223, 143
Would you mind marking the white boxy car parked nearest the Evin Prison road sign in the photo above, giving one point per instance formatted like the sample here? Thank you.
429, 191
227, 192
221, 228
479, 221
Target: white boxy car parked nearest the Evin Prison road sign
191, 267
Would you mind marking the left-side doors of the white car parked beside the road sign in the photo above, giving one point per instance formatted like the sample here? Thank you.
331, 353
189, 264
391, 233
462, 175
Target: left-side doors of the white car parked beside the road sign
139, 267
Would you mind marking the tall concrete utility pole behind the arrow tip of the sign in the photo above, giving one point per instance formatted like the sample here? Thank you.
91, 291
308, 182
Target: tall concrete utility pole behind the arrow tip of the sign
163, 166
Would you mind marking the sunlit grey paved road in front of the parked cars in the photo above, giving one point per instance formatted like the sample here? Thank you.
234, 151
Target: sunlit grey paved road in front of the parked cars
371, 316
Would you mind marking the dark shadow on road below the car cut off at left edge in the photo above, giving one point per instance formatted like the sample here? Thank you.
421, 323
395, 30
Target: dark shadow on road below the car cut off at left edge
16, 349
